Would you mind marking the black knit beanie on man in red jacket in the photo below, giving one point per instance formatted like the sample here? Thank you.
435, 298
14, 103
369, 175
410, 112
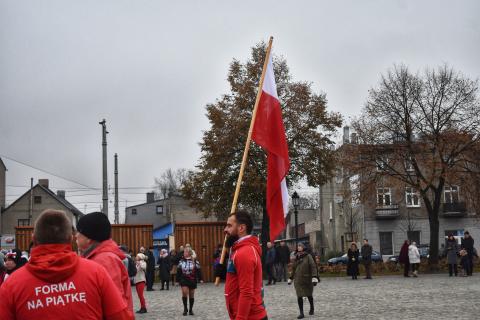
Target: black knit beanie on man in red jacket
95, 226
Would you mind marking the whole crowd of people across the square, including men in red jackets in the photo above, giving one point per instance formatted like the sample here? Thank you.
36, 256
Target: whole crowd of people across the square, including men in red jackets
95, 282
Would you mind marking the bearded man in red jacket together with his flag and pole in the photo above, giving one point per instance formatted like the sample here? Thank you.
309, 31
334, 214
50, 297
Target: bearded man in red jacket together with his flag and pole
244, 286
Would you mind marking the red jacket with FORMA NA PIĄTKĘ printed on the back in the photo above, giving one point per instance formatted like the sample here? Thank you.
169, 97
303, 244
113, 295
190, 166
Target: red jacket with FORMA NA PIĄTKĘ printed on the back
57, 284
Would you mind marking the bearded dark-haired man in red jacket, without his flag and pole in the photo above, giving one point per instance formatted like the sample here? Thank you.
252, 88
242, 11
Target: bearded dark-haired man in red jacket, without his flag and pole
243, 287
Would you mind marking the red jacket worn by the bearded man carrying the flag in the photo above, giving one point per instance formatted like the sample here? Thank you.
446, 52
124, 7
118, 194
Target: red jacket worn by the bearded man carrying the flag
244, 286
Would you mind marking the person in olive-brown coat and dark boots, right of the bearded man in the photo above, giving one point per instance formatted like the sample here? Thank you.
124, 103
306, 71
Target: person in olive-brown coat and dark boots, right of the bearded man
305, 277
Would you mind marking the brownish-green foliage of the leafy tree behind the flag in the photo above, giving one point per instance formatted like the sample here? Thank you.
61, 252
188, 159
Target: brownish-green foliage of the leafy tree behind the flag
309, 128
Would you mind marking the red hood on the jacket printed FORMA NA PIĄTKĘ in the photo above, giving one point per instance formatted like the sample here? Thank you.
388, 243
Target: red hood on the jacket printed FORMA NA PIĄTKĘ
52, 262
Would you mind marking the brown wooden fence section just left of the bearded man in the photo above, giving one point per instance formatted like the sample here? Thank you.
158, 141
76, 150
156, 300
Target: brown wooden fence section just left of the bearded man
204, 238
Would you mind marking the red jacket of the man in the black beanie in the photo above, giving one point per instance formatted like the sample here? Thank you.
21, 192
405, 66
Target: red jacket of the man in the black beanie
110, 257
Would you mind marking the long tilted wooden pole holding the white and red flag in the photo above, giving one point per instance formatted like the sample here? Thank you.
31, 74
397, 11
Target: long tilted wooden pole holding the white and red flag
247, 149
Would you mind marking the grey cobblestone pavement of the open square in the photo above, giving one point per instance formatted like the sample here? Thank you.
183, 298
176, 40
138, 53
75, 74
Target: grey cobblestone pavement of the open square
394, 297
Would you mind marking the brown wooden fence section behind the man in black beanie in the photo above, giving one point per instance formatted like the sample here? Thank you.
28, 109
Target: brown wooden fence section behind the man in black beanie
132, 235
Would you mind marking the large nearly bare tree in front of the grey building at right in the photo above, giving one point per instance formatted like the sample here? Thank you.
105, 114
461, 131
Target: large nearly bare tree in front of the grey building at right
419, 131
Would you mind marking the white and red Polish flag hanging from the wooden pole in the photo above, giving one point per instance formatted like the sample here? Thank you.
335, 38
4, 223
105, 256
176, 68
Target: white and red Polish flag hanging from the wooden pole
269, 133
